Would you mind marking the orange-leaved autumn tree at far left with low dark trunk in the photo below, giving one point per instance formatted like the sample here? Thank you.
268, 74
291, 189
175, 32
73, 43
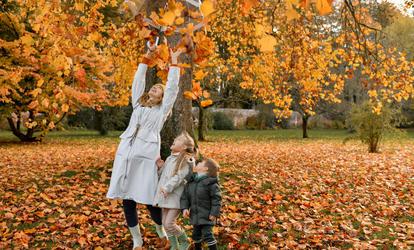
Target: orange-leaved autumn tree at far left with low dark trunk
51, 63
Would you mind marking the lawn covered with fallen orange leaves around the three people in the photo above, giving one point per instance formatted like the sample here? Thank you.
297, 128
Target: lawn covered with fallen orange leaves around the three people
277, 193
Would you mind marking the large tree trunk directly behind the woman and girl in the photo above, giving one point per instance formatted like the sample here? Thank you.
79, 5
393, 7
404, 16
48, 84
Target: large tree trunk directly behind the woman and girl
180, 119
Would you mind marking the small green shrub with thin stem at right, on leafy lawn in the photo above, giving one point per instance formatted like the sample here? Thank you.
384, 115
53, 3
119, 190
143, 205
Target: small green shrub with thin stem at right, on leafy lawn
370, 127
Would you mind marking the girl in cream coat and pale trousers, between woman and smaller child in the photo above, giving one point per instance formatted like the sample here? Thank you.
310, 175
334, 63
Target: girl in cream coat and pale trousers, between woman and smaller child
171, 185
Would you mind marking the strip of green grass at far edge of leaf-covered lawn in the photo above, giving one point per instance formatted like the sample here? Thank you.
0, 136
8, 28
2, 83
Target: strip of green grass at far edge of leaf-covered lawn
257, 135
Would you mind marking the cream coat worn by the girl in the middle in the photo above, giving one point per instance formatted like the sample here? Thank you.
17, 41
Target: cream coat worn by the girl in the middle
173, 183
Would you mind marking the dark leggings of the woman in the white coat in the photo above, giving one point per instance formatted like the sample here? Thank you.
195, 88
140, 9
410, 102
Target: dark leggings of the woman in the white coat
131, 214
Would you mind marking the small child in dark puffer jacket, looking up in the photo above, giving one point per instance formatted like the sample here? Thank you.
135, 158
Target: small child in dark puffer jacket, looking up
201, 200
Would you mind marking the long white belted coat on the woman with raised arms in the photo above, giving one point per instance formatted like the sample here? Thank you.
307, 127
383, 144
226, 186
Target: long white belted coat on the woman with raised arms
134, 172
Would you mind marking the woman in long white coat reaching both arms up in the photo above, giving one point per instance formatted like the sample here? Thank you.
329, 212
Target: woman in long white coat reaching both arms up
134, 174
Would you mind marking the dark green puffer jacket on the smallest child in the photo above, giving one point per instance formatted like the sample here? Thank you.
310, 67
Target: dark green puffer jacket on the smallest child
203, 197
